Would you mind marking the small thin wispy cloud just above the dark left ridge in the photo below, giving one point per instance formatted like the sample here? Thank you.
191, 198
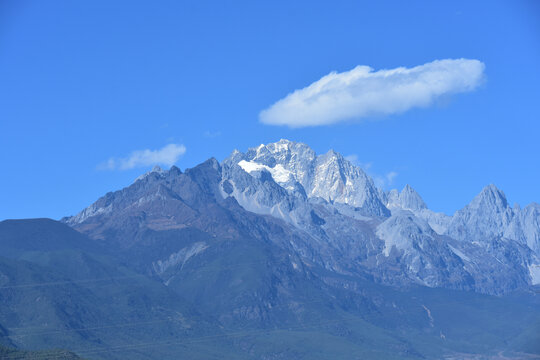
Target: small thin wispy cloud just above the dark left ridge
168, 155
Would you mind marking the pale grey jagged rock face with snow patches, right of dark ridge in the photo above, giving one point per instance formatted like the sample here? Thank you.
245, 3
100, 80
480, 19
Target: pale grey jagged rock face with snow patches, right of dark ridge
346, 192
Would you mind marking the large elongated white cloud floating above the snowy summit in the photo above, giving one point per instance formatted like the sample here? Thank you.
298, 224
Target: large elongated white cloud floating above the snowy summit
363, 92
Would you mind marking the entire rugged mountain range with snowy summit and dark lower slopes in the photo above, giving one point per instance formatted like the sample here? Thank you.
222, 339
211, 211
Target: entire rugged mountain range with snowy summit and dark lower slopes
275, 253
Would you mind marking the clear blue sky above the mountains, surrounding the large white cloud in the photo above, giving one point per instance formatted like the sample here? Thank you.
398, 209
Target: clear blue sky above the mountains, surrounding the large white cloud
84, 82
